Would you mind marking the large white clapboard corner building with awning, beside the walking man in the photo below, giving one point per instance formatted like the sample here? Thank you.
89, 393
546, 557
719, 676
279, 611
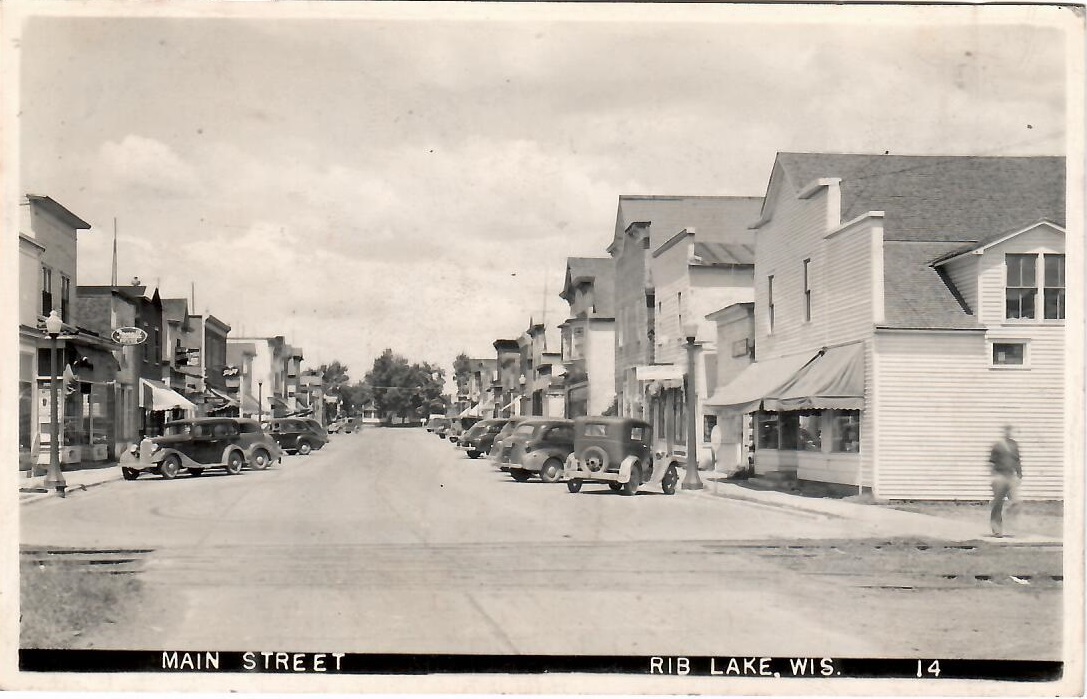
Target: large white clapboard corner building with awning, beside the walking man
907, 308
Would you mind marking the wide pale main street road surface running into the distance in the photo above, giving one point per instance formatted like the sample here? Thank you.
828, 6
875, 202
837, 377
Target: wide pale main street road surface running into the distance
392, 541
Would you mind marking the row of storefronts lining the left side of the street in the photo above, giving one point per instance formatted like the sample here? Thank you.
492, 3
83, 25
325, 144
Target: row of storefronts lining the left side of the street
126, 361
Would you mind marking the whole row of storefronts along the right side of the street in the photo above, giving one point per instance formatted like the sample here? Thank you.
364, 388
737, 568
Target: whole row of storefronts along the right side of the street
870, 323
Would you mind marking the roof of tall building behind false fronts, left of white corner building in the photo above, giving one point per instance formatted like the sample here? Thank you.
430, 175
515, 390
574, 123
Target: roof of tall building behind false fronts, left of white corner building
715, 219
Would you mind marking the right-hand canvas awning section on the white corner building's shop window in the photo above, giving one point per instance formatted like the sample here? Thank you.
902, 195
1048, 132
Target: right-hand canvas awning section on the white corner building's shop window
834, 380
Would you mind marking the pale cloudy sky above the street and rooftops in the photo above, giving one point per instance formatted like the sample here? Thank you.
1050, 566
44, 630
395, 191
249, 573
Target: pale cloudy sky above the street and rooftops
418, 181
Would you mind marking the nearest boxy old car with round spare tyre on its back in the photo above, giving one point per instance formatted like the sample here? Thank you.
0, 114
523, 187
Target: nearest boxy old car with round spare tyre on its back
617, 452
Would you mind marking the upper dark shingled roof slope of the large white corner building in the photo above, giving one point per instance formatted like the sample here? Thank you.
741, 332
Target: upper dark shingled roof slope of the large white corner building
951, 198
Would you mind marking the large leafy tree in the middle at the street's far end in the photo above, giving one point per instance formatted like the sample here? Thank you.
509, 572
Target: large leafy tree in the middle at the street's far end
402, 390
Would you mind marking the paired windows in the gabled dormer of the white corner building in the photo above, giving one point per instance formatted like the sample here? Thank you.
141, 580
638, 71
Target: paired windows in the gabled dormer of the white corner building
1023, 283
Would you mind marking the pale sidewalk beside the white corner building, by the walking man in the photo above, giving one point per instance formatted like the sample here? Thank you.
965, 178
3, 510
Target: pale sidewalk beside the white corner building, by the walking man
882, 521
